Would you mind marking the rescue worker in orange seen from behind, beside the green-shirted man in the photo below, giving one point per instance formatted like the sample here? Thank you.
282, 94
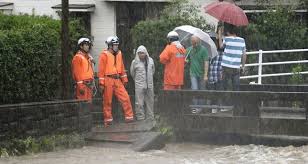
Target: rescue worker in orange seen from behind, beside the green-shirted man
173, 57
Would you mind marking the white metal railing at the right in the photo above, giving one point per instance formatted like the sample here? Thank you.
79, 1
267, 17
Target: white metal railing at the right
260, 64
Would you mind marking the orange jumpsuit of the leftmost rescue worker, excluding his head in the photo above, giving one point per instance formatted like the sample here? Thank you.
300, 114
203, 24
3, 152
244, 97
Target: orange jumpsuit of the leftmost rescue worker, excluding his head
82, 71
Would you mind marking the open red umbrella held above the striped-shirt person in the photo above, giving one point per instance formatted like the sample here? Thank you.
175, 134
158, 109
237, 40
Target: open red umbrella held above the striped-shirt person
227, 12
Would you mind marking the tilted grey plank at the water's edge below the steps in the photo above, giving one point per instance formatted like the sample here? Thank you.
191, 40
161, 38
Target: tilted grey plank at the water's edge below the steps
148, 141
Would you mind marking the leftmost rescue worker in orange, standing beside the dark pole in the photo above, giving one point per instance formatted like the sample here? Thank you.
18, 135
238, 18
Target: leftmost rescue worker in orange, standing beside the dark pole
82, 70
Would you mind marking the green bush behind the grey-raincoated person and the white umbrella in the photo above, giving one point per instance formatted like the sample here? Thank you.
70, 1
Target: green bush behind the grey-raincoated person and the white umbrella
152, 33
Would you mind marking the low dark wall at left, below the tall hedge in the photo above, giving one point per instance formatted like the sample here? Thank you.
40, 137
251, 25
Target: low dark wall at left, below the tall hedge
44, 118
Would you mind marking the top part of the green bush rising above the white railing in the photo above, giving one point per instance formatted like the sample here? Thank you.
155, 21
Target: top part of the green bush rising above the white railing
278, 30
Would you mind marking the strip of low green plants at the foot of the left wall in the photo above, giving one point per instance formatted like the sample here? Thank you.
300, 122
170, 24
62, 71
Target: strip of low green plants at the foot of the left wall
43, 144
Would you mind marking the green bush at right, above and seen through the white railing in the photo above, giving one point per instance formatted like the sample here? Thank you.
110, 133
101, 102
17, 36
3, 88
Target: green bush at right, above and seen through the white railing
276, 29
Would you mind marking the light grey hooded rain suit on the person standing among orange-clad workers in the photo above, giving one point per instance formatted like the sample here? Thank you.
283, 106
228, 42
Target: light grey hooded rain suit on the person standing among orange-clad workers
142, 73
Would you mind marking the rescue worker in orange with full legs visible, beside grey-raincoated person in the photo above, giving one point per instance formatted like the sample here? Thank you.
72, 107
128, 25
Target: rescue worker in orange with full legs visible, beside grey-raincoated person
112, 79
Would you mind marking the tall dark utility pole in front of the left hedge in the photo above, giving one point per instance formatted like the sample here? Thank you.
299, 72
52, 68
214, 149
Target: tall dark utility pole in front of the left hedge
65, 49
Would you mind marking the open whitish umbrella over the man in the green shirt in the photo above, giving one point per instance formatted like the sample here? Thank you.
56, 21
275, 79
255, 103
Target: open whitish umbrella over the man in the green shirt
186, 31
